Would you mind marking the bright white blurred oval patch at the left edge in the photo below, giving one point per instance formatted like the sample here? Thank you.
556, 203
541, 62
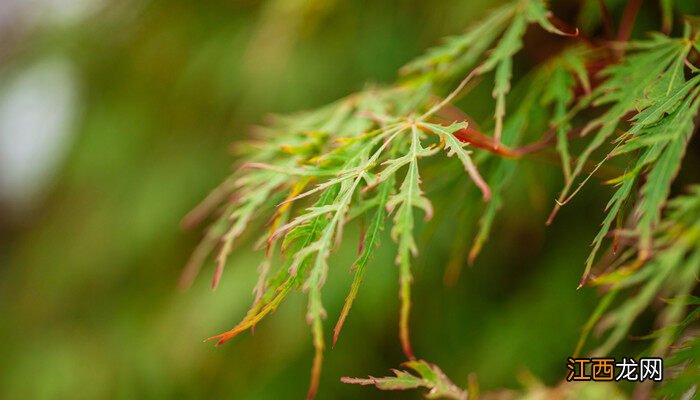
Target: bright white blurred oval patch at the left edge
36, 111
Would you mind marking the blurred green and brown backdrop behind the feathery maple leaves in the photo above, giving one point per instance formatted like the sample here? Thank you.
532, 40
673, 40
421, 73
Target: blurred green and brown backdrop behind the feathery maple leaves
116, 119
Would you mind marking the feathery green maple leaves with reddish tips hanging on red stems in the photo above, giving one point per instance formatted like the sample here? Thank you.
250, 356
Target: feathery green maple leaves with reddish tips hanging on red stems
312, 173
